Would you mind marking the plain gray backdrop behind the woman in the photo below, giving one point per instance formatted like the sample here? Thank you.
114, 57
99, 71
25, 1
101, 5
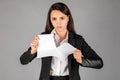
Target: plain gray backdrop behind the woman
98, 21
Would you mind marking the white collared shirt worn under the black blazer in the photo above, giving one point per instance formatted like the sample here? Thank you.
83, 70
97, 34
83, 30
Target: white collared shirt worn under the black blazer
59, 67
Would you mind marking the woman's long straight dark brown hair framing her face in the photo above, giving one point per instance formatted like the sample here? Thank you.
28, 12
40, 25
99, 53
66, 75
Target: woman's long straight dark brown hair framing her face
64, 9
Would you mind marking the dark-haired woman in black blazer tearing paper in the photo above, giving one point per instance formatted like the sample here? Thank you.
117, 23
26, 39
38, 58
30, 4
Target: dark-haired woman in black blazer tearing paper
60, 22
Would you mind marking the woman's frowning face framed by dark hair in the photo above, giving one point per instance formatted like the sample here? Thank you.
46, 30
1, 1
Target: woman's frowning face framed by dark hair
59, 20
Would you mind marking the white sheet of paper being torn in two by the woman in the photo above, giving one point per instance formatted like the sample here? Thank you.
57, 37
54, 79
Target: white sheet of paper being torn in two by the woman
47, 47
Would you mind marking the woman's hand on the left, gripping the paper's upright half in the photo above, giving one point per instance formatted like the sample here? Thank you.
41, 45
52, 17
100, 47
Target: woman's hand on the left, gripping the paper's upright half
34, 45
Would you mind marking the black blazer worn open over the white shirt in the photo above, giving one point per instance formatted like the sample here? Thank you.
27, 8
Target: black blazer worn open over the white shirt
90, 59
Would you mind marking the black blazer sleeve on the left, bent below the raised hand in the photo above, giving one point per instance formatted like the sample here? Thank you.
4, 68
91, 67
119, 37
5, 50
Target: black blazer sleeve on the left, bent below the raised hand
26, 57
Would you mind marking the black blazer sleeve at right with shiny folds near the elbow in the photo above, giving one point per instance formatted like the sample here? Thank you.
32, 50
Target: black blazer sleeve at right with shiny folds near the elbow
90, 58
